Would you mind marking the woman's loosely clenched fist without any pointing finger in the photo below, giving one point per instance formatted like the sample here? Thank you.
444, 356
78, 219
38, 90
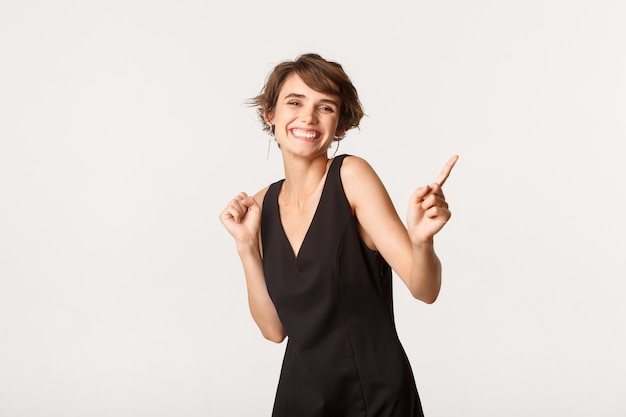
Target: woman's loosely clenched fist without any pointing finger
242, 218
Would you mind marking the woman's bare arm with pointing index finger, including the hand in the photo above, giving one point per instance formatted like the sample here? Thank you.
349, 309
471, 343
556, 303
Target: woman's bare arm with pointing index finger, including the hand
410, 252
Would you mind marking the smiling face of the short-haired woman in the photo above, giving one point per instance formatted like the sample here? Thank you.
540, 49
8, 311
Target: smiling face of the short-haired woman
305, 120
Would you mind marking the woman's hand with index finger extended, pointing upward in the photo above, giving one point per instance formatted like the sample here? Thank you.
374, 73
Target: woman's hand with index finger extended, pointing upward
428, 211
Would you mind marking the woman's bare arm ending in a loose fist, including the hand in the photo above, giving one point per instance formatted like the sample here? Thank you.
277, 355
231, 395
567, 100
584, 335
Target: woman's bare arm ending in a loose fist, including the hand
242, 219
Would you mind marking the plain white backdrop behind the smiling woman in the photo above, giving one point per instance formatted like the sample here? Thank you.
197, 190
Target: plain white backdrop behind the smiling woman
124, 132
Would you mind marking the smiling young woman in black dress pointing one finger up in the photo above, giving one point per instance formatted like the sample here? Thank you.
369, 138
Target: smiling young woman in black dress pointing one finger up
318, 249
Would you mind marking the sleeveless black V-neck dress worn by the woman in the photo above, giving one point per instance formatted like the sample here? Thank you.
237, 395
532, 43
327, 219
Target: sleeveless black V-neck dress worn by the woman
343, 357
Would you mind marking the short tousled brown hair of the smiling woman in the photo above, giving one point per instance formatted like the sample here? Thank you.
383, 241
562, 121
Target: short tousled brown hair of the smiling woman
319, 74
